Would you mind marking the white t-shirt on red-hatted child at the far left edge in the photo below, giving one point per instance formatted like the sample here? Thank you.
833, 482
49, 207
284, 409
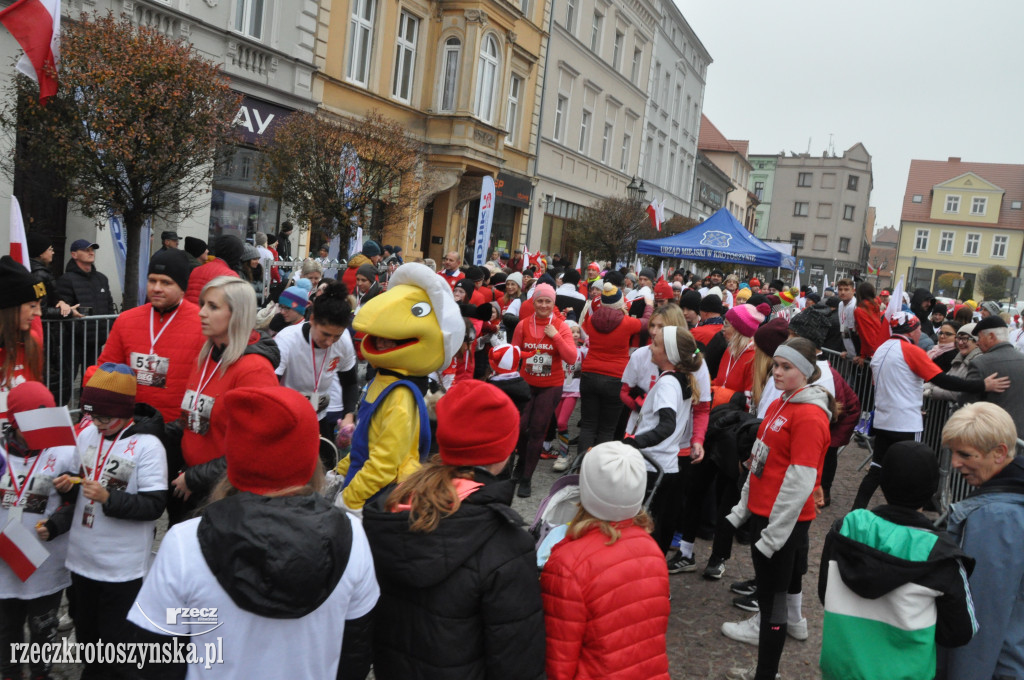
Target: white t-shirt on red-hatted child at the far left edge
39, 501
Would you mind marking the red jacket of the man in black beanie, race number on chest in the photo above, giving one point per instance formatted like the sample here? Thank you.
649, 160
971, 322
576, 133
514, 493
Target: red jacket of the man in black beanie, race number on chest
181, 345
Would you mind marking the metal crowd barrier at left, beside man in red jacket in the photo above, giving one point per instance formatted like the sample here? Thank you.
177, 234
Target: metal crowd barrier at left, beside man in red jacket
71, 346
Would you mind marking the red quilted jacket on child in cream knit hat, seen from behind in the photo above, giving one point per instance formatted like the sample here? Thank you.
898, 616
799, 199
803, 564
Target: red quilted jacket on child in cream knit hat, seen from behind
607, 608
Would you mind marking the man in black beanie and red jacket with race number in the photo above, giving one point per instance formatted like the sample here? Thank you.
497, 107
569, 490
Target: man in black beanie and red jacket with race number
160, 341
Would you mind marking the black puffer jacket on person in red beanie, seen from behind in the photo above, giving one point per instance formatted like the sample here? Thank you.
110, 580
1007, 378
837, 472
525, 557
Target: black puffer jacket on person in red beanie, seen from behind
462, 603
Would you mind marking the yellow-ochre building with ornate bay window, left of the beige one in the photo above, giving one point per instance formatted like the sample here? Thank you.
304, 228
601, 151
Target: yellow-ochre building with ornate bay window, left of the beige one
460, 76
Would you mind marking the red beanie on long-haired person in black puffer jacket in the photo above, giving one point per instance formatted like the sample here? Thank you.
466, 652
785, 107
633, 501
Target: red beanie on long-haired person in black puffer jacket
478, 424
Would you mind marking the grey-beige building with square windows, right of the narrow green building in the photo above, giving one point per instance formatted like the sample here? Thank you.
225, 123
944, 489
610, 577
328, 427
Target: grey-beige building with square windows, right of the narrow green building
821, 205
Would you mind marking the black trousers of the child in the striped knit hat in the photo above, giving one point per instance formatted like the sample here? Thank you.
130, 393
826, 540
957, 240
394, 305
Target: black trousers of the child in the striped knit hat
101, 612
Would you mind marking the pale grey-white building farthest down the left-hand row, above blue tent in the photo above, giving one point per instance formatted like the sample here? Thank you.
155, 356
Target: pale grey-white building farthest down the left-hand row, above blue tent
673, 119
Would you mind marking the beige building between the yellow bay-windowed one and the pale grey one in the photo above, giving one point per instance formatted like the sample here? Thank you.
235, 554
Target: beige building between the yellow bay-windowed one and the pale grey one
599, 65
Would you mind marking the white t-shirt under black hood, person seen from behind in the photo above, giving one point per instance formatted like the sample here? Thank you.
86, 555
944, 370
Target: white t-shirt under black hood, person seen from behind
254, 647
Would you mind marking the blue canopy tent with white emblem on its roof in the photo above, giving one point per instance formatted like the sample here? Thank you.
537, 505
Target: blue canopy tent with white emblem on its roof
719, 239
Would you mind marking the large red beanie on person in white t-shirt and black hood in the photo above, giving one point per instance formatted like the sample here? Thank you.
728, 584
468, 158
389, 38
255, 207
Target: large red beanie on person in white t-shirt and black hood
272, 438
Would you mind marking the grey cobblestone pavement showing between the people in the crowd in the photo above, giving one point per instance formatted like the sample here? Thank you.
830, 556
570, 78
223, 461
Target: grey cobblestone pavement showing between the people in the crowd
697, 648
